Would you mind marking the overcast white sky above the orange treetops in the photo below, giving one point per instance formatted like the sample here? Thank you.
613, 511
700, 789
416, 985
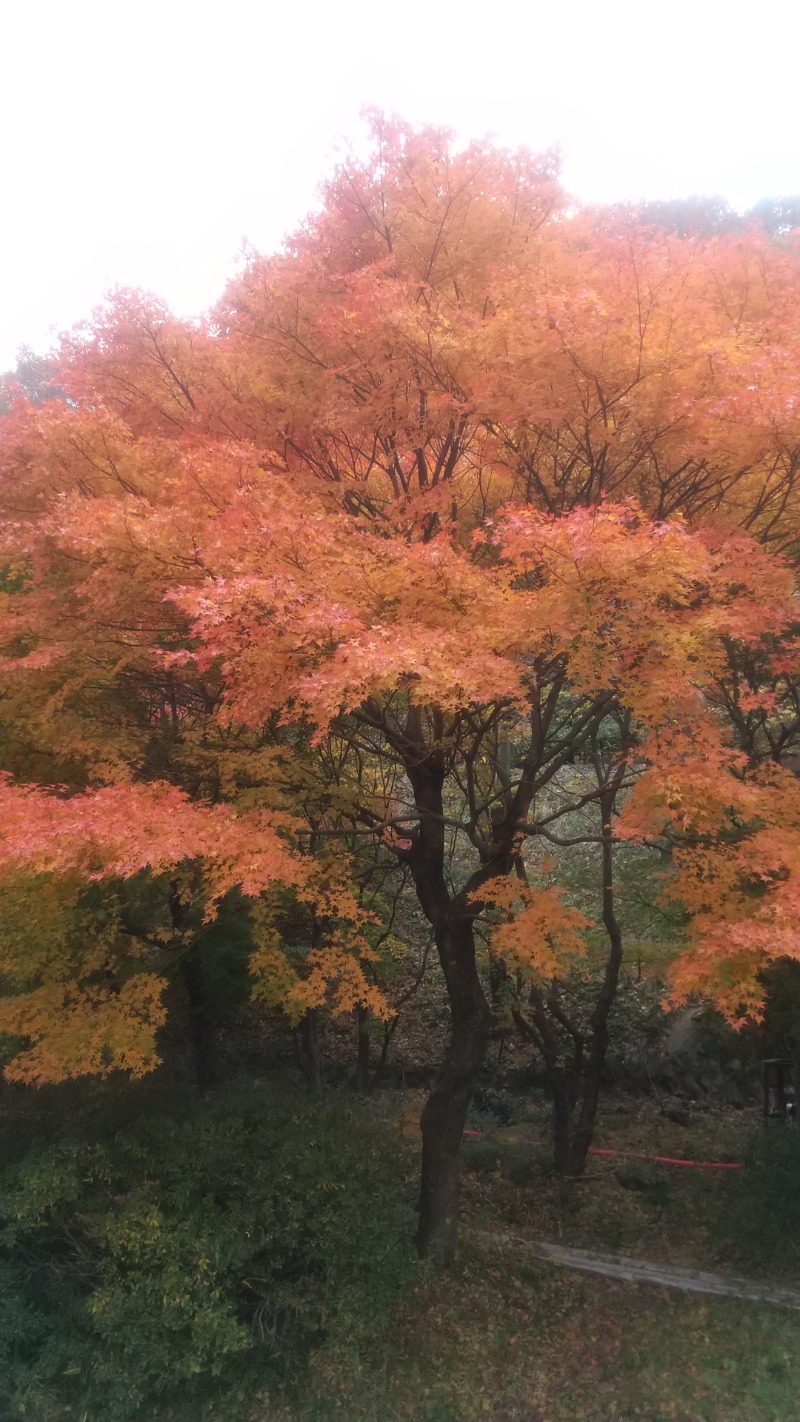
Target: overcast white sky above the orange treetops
143, 141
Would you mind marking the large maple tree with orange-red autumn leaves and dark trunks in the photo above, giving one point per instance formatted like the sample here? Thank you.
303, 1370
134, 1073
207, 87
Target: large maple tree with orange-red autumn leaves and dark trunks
458, 490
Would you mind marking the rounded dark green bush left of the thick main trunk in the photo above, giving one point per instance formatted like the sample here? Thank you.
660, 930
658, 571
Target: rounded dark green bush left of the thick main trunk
201, 1252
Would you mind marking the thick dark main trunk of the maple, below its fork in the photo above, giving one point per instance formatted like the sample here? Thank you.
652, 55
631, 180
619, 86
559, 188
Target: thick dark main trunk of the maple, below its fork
445, 1113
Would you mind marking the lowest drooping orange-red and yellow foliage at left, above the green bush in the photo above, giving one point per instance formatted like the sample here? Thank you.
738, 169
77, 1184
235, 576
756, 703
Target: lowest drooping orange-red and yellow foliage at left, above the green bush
69, 1005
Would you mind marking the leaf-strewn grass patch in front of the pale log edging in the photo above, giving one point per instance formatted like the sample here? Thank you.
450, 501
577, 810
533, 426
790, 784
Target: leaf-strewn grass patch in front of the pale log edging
514, 1342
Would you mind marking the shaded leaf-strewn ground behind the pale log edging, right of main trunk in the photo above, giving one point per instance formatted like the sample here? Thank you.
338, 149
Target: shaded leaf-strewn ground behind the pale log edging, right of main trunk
747, 1219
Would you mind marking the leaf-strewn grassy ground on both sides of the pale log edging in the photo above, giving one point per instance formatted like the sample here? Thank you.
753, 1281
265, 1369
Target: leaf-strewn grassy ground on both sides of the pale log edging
511, 1340
